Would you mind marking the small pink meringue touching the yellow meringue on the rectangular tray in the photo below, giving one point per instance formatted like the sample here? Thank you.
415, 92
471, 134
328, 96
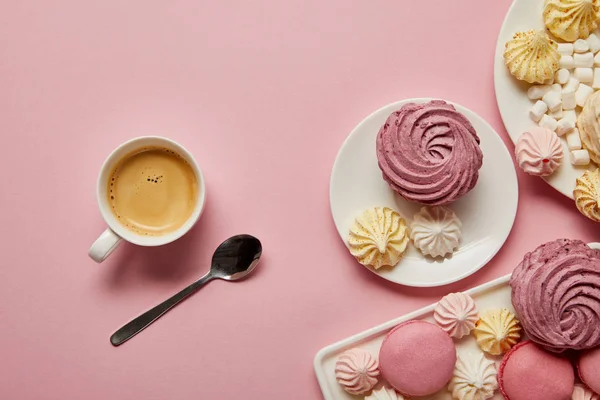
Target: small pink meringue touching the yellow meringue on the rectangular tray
456, 314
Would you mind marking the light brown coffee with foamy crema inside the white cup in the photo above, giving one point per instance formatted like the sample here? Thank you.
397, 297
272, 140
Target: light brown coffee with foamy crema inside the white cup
153, 191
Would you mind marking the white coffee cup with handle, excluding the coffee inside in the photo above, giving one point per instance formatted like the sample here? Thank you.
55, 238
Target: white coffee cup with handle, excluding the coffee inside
116, 232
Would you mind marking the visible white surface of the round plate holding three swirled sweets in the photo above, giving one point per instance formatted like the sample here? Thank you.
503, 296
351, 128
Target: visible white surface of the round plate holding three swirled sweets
487, 212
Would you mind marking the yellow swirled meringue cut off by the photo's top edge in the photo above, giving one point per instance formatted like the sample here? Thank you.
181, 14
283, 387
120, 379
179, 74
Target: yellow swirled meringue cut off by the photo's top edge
571, 19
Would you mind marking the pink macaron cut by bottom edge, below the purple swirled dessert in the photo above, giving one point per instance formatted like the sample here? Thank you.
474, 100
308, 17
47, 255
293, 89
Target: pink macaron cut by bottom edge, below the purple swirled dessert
528, 372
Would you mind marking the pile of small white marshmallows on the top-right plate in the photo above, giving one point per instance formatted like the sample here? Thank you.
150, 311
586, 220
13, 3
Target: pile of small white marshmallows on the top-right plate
575, 81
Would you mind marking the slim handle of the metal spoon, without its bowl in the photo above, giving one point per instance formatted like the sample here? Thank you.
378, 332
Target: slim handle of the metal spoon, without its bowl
136, 325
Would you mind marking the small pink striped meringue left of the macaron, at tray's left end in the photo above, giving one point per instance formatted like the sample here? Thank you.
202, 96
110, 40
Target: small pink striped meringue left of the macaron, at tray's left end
357, 371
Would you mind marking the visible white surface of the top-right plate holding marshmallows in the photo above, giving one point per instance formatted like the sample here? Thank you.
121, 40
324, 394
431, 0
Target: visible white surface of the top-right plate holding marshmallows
511, 94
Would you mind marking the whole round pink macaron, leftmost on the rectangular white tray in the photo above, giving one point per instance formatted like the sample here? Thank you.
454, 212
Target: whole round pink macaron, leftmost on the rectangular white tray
417, 358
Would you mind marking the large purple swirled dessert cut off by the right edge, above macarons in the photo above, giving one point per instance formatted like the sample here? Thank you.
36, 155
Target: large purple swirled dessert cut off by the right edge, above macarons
556, 293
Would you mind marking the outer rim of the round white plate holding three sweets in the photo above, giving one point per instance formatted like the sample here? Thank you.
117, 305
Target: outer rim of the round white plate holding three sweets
482, 263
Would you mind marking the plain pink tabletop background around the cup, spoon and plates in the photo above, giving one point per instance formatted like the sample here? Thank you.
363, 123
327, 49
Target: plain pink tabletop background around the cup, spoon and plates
263, 93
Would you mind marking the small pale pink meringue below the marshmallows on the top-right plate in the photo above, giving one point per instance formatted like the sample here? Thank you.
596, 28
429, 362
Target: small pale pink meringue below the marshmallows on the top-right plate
539, 151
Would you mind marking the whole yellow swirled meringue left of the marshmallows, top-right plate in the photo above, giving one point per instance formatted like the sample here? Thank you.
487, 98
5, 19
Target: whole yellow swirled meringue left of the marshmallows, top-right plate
532, 56
